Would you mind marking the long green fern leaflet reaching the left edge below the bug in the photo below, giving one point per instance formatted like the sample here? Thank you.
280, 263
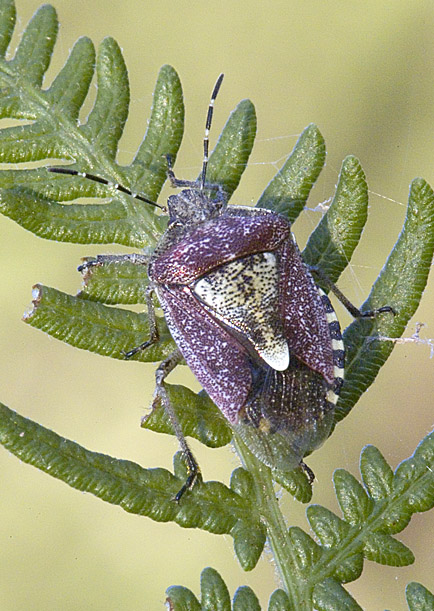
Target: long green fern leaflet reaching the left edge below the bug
147, 492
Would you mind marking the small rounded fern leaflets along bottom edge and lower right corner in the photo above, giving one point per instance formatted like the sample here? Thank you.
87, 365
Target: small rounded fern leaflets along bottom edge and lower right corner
370, 516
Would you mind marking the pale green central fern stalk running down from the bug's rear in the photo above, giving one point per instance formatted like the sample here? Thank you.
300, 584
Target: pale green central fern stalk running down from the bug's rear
277, 529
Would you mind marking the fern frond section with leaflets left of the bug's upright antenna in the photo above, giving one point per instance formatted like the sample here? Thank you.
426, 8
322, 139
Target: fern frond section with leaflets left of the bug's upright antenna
31, 197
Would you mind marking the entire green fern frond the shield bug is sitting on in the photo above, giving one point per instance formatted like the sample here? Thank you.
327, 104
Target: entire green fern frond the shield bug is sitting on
48, 132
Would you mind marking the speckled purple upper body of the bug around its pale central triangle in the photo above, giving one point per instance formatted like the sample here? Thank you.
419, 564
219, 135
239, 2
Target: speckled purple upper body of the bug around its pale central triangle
223, 360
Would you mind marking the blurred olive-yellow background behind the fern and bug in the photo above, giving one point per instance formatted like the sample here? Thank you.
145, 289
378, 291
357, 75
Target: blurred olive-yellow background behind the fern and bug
364, 72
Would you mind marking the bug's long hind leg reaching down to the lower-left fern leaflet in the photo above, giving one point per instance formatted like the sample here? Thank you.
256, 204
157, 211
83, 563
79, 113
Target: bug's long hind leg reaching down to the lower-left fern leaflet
193, 471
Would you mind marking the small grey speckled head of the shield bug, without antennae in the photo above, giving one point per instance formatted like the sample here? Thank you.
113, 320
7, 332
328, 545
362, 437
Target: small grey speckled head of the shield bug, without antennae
193, 207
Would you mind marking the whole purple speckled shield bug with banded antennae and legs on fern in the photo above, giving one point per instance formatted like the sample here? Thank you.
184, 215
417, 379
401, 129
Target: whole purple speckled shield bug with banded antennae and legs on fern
244, 310
